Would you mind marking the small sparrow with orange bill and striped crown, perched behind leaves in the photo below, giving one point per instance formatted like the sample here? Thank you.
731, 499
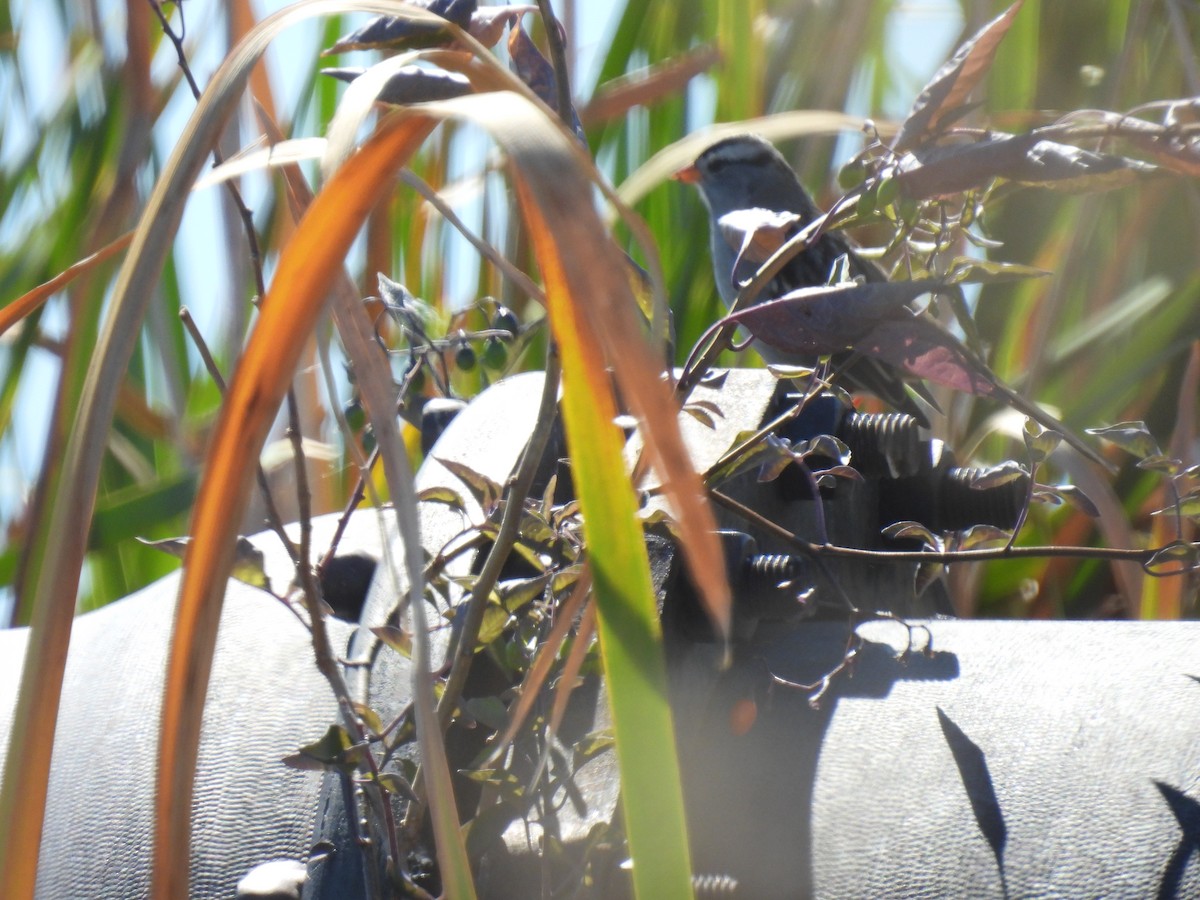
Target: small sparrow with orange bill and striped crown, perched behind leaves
746, 173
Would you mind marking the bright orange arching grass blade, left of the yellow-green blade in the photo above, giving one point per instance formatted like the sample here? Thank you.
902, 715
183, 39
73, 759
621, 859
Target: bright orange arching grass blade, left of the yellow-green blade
298, 293
